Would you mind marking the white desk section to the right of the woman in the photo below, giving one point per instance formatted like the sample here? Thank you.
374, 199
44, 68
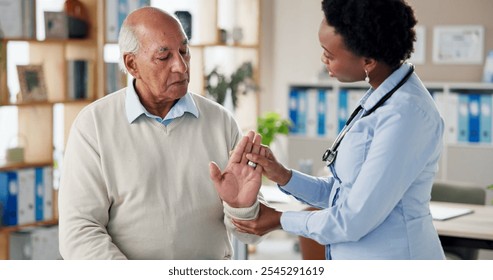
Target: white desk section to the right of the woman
472, 230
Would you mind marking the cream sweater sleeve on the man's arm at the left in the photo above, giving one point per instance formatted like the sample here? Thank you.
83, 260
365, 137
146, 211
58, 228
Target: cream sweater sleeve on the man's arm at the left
83, 199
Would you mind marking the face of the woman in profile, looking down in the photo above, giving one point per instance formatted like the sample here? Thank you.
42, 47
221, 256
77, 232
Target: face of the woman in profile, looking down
340, 62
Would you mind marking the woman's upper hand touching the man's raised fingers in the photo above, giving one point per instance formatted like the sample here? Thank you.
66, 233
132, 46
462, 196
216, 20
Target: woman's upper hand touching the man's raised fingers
272, 169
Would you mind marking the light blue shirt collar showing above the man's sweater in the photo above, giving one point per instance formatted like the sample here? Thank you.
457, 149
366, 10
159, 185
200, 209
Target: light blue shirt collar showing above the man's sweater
134, 107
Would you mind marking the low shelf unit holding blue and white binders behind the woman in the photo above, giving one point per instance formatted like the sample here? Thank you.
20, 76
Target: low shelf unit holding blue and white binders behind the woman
461, 161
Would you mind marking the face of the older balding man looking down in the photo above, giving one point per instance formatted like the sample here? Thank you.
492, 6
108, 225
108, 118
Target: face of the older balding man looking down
162, 62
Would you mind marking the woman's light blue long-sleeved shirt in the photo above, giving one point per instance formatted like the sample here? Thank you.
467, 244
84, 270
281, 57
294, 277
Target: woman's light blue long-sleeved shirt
376, 203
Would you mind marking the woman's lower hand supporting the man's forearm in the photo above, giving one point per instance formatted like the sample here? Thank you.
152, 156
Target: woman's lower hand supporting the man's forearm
268, 219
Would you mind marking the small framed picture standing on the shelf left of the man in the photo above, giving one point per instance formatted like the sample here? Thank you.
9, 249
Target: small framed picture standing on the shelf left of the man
32, 83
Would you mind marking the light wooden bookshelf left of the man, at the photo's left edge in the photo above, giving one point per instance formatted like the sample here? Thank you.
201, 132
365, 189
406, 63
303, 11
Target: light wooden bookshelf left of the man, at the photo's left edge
35, 120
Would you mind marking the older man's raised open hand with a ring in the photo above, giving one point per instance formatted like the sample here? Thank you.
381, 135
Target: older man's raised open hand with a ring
240, 182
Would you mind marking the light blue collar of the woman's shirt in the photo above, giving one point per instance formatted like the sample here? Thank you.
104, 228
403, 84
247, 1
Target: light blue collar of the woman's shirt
372, 96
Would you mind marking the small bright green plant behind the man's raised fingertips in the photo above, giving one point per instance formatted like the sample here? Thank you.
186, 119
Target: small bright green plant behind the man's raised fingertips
270, 124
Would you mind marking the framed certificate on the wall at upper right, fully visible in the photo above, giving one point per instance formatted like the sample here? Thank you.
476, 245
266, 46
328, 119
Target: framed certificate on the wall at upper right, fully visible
458, 44
